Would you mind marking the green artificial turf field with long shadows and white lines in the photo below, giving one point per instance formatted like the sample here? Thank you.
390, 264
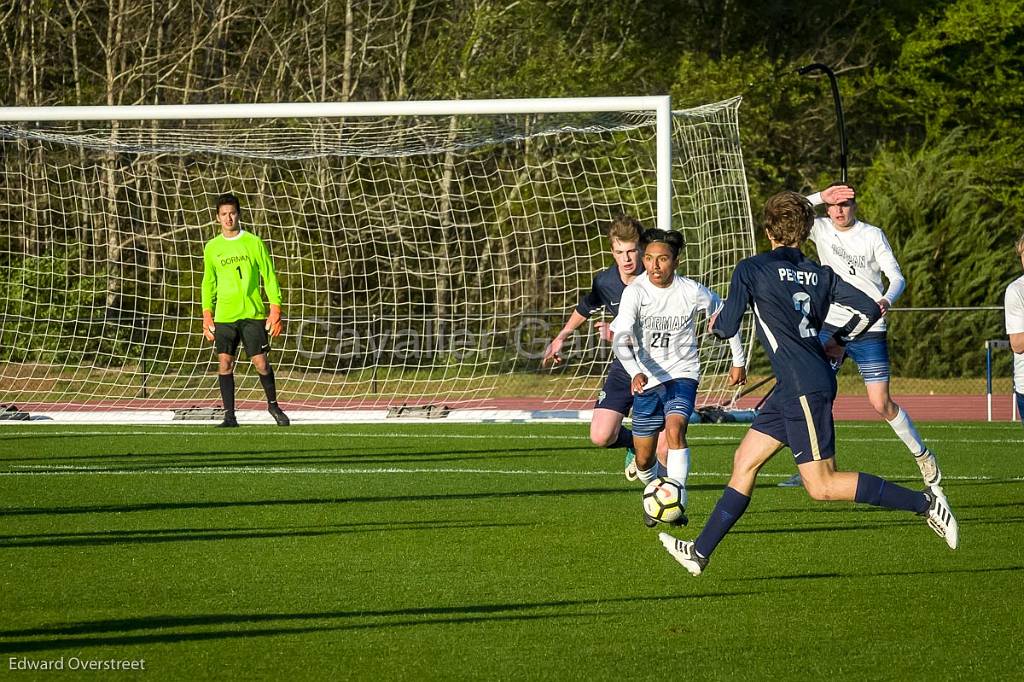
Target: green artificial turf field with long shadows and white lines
491, 552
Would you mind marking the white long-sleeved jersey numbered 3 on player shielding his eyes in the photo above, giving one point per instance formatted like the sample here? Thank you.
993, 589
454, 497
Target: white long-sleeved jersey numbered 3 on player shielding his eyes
861, 257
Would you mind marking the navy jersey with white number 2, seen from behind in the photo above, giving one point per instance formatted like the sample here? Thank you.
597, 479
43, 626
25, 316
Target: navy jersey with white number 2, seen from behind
791, 296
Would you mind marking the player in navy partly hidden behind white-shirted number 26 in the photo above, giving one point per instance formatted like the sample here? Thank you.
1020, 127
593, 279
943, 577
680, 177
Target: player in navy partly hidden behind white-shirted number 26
616, 399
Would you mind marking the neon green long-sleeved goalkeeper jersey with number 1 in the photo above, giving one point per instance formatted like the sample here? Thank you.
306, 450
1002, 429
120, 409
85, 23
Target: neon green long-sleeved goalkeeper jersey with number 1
233, 269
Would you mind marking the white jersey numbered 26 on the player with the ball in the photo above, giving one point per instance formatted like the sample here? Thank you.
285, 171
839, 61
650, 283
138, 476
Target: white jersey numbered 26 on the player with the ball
655, 333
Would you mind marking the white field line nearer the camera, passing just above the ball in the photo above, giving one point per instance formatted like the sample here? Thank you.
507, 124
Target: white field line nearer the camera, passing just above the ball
72, 471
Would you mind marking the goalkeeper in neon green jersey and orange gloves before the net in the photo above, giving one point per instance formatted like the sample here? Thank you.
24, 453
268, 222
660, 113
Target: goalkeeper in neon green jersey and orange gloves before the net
234, 264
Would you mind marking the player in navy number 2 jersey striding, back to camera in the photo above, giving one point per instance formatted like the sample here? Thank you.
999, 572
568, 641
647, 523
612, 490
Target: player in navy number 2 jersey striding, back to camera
790, 296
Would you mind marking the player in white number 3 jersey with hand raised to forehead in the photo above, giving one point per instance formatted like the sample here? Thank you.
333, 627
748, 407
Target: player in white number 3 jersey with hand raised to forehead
861, 254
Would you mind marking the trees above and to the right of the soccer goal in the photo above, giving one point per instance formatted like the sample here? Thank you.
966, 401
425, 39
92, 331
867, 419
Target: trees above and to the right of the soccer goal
933, 91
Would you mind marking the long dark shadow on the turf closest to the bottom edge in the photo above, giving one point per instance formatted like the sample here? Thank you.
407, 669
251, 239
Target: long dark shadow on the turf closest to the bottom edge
123, 632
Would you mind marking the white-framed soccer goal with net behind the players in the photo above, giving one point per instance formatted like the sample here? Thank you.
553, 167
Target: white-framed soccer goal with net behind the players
428, 251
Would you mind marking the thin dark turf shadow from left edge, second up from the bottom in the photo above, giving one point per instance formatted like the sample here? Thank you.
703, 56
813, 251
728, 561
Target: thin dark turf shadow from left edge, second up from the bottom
157, 536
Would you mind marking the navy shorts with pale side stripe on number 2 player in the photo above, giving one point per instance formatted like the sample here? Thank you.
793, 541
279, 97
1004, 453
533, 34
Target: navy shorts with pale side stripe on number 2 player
804, 423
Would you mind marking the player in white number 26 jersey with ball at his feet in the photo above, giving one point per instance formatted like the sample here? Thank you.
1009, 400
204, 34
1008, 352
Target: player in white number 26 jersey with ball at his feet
656, 339
